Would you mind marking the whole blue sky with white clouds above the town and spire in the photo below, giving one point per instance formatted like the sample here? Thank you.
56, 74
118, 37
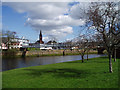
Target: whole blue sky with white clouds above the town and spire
56, 20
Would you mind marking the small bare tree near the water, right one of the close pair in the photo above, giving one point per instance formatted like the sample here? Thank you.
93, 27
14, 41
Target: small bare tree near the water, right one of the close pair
86, 40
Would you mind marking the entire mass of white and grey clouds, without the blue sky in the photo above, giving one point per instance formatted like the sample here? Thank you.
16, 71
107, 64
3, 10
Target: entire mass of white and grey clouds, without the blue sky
50, 18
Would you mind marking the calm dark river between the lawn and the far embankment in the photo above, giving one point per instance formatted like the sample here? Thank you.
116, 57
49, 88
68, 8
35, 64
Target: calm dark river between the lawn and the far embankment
13, 63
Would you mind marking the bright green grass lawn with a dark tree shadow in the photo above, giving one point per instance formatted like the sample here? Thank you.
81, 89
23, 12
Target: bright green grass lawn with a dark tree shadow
90, 74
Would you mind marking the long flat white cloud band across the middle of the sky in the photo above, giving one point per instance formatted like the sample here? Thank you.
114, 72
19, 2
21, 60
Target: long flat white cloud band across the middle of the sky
55, 23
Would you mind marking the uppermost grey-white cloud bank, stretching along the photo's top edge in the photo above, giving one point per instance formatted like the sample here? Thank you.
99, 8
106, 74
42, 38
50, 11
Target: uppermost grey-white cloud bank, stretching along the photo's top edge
39, 10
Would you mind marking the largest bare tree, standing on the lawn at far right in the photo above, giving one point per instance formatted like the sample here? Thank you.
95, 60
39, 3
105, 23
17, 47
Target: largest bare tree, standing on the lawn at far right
104, 18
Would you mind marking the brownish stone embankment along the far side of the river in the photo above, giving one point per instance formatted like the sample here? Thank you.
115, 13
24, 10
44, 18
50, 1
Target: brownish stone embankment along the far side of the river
38, 53
